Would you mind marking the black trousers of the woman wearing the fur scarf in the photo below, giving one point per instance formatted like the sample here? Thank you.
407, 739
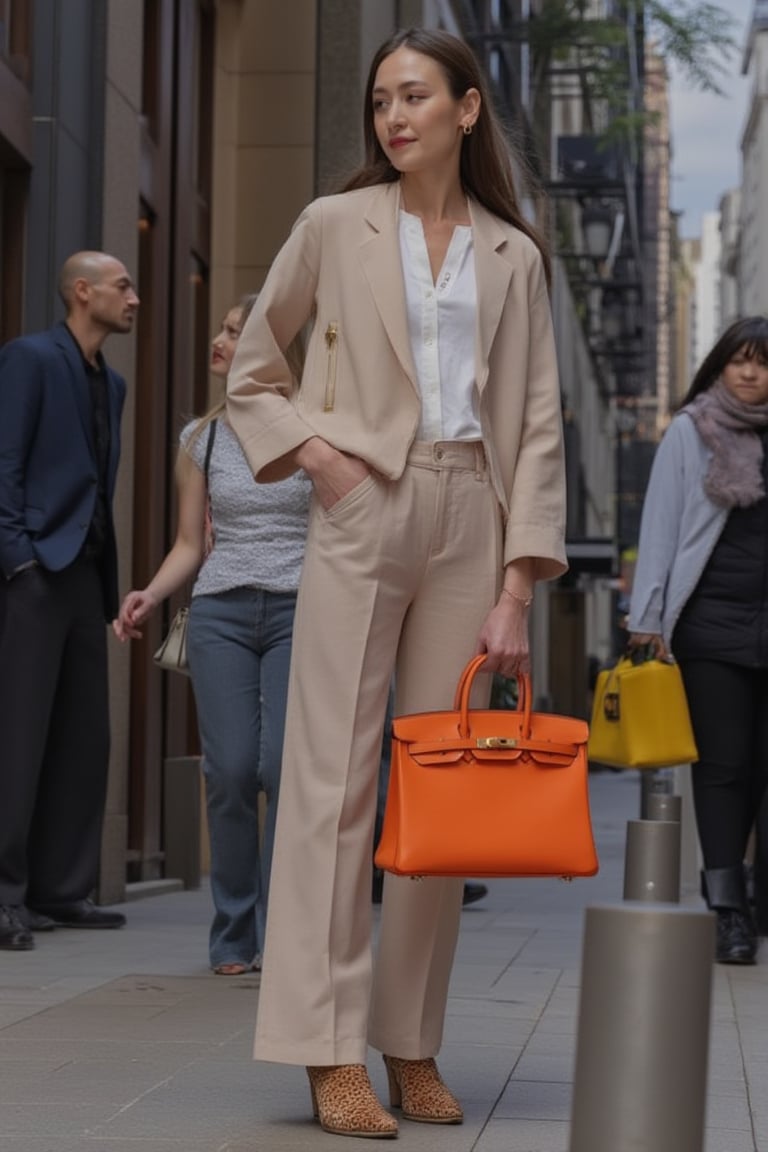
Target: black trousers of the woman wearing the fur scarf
729, 714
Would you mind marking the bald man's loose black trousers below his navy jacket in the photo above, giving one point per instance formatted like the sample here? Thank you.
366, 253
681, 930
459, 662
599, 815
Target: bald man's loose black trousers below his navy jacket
55, 734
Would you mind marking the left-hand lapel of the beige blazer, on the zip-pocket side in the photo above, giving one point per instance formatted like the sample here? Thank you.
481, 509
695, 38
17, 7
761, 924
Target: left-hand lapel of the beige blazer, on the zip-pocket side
382, 266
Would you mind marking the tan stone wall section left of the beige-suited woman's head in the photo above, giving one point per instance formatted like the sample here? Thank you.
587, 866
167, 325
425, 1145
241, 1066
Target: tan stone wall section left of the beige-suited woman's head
264, 154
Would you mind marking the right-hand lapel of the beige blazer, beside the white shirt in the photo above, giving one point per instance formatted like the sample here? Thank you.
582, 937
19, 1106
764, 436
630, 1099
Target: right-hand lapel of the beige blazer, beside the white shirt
493, 275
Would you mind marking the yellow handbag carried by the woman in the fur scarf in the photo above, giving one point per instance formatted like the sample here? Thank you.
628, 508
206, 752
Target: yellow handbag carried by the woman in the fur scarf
641, 717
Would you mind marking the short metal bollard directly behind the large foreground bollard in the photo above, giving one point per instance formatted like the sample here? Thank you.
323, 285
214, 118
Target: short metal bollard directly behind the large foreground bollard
652, 861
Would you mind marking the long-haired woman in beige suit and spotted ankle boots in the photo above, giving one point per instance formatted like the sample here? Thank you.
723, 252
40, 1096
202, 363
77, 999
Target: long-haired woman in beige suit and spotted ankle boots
429, 421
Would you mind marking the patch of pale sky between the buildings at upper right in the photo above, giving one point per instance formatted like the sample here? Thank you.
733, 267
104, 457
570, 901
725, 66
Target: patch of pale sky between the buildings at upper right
706, 133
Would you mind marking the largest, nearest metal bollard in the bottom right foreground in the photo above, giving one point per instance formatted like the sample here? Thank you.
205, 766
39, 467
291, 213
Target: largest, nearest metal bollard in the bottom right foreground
644, 1029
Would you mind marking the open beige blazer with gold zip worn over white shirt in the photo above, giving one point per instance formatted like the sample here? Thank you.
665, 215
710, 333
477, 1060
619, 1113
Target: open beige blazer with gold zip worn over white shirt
341, 271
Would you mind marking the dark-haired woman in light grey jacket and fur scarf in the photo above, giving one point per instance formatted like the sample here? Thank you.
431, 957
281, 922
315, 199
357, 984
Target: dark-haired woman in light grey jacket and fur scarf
702, 593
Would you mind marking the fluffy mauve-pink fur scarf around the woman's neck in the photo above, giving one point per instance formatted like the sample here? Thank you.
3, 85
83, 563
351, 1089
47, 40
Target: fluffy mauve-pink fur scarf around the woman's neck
729, 428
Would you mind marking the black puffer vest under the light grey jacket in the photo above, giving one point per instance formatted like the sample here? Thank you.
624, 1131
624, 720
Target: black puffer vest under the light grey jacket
727, 615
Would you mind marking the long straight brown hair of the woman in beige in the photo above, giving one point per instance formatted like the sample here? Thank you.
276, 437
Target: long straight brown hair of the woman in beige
486, 161
